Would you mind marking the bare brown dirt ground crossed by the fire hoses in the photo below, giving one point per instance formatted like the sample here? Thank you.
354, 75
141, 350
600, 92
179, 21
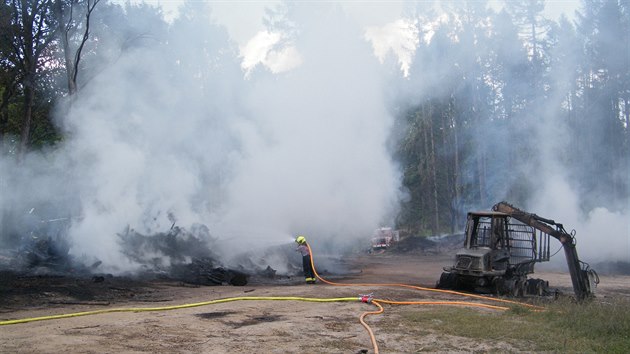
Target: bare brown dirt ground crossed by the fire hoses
245, 326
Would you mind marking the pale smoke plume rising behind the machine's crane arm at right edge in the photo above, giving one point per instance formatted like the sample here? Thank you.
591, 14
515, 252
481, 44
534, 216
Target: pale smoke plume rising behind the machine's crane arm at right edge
599, 217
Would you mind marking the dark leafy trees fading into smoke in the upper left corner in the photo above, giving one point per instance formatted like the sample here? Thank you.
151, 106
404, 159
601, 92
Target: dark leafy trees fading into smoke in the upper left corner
42, 66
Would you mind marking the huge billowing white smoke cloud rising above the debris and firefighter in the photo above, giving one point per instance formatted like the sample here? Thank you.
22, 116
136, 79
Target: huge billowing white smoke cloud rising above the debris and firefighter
173, 133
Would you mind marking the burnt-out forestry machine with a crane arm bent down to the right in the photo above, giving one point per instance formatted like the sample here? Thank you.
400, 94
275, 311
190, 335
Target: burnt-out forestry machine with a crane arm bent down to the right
499, 253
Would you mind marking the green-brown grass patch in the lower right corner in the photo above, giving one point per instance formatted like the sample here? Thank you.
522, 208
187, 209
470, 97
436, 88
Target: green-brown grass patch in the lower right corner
597, 326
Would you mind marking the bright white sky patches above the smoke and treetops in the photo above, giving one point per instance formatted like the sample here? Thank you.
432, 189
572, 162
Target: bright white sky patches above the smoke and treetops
381, 20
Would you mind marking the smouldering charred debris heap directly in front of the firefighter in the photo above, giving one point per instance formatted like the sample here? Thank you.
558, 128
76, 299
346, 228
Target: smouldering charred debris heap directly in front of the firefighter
194, 256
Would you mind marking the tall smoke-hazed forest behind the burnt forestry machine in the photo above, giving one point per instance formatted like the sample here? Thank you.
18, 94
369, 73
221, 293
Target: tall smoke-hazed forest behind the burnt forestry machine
518, 95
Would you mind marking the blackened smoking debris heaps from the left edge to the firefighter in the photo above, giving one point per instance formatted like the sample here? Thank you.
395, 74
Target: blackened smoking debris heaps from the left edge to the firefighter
33, 246
